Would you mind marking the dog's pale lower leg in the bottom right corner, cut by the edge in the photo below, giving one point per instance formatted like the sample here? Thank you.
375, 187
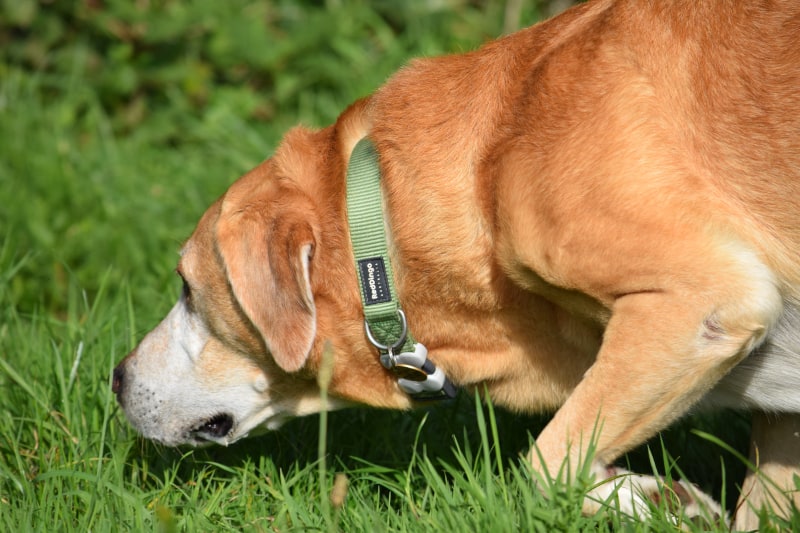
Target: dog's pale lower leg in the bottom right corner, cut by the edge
775, 485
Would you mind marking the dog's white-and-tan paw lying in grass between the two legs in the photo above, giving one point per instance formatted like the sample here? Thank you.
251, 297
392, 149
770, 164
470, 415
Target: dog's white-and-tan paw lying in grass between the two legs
640, 496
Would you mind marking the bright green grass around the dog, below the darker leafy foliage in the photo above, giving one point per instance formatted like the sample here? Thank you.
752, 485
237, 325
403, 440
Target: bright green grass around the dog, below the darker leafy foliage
90, 221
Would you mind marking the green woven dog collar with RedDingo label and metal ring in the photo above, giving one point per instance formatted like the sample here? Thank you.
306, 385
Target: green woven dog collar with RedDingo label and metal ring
385, 323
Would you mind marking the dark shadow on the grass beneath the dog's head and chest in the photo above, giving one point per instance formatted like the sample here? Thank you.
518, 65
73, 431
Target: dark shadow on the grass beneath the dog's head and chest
387, 439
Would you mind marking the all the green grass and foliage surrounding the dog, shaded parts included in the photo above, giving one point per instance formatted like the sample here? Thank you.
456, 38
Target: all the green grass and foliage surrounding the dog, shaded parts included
118, 127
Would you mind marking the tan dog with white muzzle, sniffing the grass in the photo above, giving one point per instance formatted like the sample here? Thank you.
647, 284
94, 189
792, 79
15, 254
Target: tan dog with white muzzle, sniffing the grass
598, 215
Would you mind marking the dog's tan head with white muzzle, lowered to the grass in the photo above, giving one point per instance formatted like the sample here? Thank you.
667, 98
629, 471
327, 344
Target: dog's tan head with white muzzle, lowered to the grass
268, 285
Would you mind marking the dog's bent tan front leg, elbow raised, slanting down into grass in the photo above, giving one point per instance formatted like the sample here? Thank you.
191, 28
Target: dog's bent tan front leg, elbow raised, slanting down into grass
661, 352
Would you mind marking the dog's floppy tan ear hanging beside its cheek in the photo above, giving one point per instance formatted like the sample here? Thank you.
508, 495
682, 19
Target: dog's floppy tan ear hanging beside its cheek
268, 262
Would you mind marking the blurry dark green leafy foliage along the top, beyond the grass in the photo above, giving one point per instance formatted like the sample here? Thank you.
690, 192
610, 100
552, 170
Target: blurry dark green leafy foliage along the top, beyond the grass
171, 59
